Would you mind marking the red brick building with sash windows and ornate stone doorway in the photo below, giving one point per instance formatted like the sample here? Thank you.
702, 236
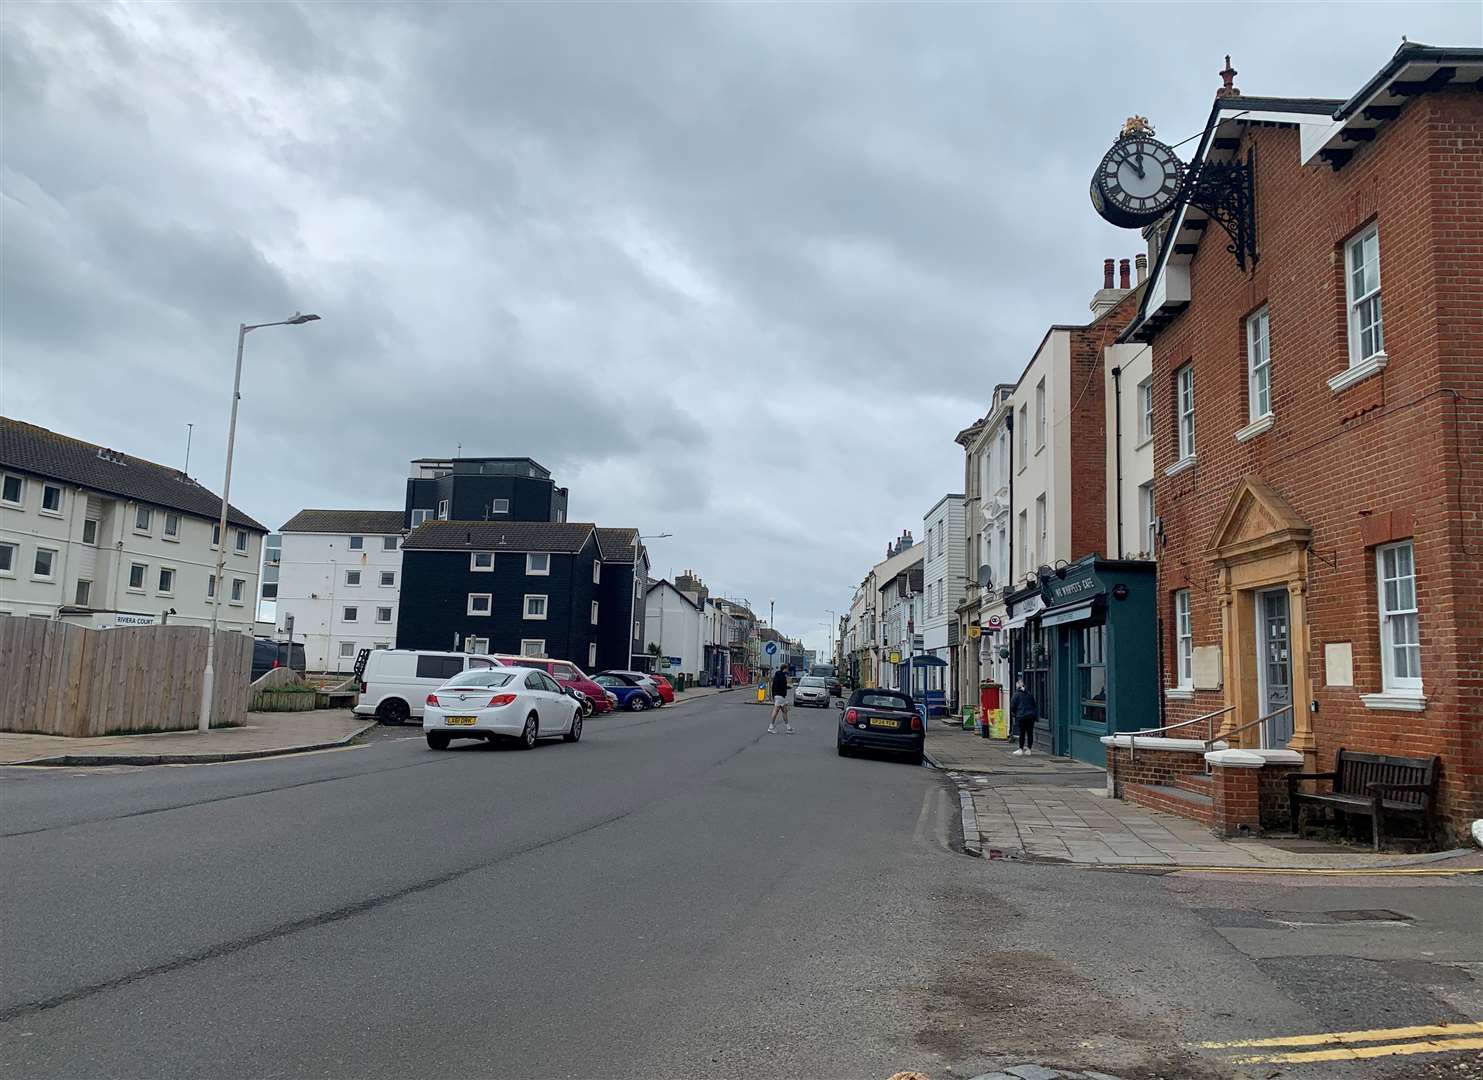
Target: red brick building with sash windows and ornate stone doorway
1319, 465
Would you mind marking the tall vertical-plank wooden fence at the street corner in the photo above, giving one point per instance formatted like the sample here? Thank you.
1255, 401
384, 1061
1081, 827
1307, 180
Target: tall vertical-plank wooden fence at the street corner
57, 679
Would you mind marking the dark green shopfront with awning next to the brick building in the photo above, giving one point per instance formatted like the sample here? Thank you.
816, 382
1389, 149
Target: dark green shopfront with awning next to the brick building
1101, 640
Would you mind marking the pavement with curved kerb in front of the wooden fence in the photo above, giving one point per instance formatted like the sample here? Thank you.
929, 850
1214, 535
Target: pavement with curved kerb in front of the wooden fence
265, 735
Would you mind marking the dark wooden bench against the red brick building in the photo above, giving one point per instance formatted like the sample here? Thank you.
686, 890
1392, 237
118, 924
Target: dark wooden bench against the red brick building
1374, 786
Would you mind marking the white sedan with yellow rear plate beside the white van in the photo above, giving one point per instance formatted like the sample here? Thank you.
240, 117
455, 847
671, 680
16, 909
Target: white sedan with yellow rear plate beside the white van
498, 704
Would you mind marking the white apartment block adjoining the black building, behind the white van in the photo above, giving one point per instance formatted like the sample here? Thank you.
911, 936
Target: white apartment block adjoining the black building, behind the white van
340, 578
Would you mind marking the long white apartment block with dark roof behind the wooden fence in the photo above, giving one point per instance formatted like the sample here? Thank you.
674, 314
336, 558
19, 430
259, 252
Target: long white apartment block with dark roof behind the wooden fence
103, 539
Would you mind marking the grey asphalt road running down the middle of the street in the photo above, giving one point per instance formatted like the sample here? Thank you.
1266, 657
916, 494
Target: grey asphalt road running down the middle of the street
680, 895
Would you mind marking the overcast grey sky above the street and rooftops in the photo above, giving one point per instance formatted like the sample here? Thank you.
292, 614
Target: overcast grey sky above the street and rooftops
736, 274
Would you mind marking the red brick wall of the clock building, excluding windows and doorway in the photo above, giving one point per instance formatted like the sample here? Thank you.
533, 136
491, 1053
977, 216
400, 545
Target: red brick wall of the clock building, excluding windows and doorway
1396, 456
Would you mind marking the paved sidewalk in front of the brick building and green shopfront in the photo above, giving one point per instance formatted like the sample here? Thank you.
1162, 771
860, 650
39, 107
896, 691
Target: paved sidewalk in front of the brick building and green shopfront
1057, 809
